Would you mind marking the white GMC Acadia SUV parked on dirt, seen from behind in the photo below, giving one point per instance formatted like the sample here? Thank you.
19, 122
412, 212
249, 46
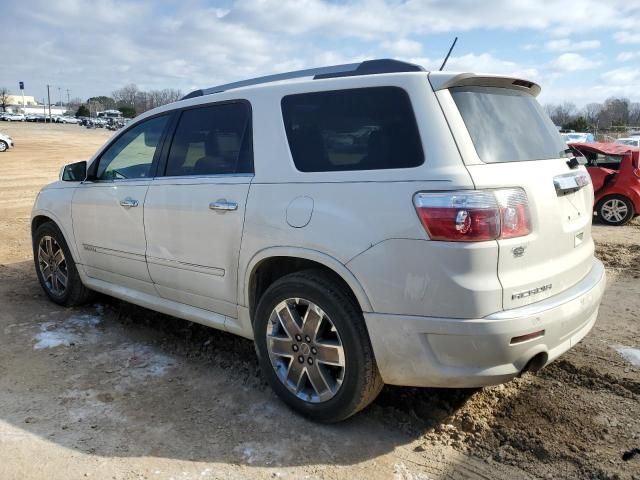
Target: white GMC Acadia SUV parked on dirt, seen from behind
364, 224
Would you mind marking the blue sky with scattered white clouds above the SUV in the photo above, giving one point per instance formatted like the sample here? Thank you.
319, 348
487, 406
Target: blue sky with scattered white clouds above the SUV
579, 51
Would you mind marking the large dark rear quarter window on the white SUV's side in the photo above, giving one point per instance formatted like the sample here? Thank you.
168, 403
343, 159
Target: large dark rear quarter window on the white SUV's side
359, 129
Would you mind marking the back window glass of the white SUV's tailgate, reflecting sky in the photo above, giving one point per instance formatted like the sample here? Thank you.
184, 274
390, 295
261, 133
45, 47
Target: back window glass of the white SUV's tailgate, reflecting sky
507, 126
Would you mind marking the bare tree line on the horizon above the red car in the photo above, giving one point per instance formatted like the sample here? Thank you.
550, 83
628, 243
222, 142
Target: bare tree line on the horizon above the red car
614, 114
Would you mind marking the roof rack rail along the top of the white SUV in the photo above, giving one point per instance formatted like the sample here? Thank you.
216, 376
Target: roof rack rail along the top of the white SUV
368, 67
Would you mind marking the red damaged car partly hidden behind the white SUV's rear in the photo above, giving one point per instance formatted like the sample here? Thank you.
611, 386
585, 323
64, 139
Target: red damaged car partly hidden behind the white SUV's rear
615, 174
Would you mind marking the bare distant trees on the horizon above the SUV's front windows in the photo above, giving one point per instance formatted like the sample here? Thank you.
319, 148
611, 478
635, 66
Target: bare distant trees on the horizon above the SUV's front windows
129, 100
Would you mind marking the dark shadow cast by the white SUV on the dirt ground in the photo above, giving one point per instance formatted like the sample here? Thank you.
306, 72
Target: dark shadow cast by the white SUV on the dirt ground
114, 379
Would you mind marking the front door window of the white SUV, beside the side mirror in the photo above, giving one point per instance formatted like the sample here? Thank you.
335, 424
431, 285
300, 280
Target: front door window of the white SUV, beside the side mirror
131, 155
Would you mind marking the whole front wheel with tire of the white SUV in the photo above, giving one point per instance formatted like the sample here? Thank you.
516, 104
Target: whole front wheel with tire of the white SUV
55, 268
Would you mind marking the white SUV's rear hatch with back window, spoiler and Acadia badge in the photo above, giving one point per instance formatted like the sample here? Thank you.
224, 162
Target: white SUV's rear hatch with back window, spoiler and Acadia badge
507, 140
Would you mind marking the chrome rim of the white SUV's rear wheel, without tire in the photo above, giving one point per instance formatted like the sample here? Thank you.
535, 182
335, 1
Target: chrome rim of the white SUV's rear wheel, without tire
305, 350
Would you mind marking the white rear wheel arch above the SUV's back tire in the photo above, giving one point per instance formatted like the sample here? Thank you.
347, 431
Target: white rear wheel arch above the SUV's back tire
272, 263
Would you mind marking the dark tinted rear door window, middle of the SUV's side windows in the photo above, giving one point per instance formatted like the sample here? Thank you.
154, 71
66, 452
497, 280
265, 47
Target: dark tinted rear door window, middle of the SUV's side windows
212, 140
